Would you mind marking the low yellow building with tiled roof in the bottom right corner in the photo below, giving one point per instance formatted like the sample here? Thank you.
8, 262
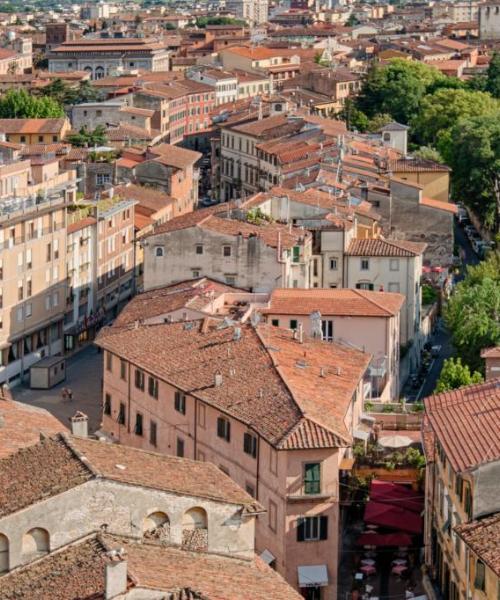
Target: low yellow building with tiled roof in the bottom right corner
482, 543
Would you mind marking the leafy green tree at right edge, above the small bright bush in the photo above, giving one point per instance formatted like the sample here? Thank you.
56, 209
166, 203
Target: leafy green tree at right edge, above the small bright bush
473, 311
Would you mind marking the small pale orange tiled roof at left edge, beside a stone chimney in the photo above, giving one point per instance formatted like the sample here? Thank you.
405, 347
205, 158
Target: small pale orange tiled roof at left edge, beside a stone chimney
22, 425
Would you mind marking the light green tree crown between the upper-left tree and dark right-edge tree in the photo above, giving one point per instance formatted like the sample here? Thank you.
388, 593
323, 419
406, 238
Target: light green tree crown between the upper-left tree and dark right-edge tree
440, 111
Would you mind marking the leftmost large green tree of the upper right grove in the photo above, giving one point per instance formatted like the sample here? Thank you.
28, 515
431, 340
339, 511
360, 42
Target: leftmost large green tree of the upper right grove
396, 89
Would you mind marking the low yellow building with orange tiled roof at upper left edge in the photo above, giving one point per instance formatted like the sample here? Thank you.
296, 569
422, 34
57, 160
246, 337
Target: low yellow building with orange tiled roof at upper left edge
35, 131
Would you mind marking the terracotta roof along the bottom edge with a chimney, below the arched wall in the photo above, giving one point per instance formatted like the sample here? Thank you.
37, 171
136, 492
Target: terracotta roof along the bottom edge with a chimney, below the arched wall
77, 571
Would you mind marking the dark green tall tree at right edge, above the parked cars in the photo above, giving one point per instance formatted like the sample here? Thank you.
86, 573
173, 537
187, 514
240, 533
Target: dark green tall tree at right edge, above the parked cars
474, 156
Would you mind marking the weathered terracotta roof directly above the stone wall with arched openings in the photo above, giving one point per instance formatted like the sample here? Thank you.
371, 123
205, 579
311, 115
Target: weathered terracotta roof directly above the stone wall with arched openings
54, 465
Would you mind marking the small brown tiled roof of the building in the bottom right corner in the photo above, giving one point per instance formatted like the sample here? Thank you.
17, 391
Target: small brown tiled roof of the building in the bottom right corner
483, 538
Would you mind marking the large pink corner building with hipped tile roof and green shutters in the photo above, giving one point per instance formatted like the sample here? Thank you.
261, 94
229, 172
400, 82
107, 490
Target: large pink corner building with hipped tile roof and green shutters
274, 409
